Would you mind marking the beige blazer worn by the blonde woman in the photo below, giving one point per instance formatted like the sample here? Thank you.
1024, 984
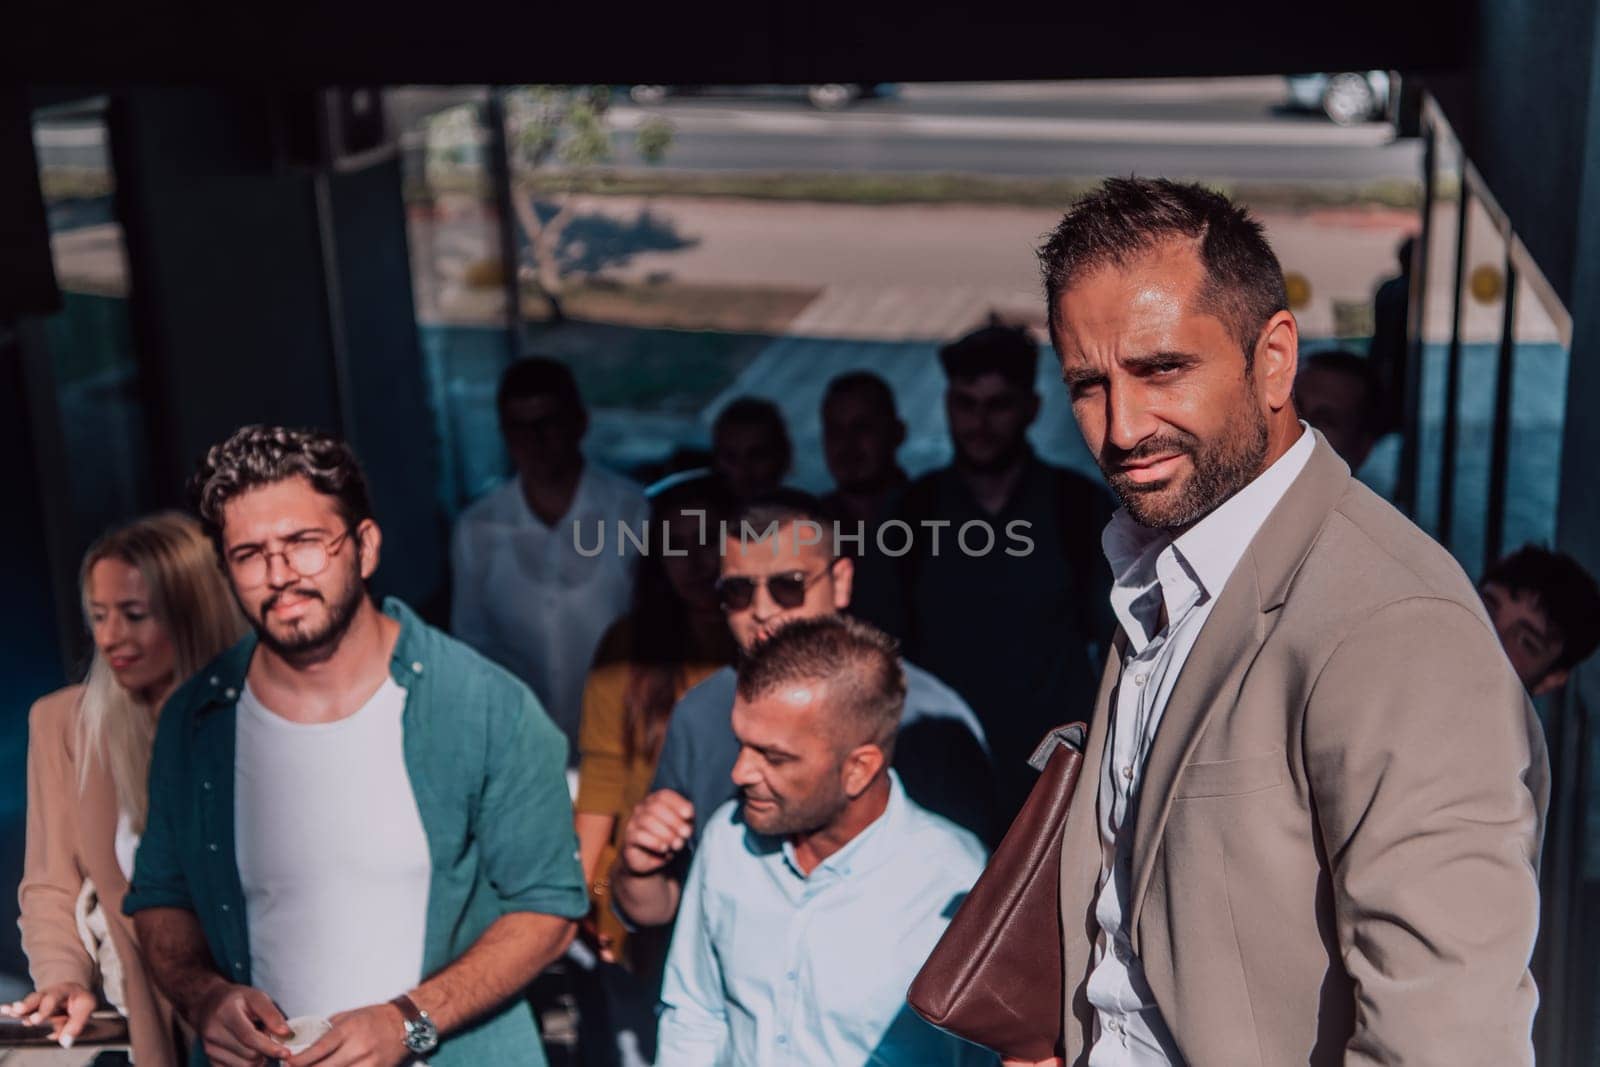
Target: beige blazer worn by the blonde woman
71, 837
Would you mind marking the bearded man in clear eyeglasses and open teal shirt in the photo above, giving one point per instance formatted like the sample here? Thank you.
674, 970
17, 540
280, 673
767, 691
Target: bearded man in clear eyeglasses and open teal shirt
354, 818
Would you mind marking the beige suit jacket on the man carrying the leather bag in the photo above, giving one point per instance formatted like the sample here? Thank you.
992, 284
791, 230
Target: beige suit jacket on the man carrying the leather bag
1335, 853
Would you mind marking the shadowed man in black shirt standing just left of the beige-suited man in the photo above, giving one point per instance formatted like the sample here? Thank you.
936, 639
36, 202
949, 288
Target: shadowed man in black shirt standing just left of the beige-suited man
1015, 634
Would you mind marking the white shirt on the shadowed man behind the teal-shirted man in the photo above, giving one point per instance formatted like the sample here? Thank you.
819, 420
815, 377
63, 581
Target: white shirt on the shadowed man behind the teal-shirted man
530, 601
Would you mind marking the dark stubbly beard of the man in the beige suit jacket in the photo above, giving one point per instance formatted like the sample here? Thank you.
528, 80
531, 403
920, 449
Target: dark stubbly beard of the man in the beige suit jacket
1218, 473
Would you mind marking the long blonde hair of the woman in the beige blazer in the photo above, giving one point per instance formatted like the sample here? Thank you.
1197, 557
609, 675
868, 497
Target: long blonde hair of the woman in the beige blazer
191, 599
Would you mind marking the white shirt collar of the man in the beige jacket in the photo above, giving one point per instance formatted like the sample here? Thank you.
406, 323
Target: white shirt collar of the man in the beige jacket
1194, 565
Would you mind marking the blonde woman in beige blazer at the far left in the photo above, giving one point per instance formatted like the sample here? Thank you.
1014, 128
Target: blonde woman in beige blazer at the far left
159, 609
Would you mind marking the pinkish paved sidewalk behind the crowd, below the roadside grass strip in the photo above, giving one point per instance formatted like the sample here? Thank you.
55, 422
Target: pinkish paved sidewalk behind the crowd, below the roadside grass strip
910, 273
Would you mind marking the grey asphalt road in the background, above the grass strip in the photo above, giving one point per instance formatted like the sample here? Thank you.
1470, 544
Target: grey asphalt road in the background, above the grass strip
1228, 130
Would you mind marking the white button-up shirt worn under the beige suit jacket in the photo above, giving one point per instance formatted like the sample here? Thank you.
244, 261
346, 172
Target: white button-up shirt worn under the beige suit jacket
1185, 575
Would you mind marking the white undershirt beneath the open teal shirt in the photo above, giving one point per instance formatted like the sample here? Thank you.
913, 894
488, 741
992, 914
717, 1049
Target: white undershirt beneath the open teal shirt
332, 855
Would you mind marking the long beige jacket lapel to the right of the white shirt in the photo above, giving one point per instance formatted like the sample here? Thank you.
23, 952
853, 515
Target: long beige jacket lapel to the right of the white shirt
1228, 647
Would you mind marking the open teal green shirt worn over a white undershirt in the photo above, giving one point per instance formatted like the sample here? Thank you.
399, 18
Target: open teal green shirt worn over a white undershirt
487, 767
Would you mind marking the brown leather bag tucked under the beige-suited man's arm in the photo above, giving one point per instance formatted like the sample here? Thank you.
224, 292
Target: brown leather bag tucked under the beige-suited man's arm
996, 975
